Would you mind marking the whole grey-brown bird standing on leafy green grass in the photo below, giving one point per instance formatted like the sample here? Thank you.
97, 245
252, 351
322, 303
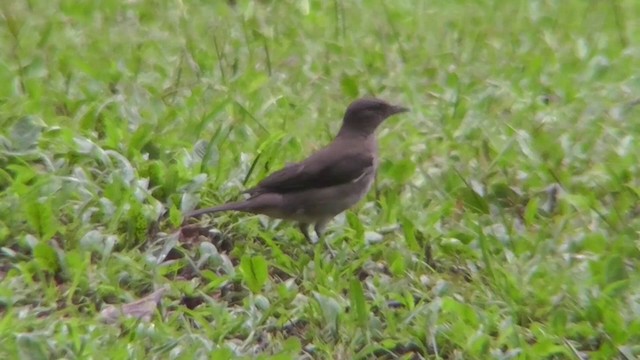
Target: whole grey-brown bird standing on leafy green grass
333, 179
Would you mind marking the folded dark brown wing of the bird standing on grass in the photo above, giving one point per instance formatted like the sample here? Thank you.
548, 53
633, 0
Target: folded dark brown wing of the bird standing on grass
323, 169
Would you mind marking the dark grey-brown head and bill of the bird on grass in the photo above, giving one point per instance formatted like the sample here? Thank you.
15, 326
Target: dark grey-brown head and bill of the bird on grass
363, 116
